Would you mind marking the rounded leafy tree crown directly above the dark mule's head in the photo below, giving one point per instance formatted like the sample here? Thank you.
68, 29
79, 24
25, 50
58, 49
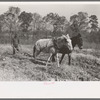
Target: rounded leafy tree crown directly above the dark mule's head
79, 22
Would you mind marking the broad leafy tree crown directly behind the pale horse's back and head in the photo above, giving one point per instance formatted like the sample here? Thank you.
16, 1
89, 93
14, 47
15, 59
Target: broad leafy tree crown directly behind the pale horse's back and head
58, 22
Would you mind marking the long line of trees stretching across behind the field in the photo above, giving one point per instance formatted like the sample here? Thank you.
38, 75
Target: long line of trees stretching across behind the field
32, 25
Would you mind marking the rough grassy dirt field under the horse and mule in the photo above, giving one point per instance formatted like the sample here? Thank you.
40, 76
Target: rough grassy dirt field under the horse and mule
22, 67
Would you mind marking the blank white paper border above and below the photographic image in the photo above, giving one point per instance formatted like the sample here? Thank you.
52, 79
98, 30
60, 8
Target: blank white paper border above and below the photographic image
33, 89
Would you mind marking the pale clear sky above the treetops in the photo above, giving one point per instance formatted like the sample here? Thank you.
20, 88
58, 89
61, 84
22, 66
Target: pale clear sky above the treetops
66, 9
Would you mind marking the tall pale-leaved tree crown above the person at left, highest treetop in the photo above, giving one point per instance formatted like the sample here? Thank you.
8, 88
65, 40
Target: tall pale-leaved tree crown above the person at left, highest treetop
11, 19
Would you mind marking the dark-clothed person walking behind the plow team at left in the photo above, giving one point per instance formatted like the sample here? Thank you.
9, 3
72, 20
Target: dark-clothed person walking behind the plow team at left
15, 43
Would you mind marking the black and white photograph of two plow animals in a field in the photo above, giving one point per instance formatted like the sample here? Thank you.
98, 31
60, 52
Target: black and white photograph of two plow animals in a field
49, 41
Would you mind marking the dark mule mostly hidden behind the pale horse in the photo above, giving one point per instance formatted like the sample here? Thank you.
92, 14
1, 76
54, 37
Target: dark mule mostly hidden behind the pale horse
76, 40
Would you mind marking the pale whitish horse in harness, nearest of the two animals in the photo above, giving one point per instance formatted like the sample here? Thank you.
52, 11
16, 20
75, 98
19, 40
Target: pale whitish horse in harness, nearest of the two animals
51, 46
